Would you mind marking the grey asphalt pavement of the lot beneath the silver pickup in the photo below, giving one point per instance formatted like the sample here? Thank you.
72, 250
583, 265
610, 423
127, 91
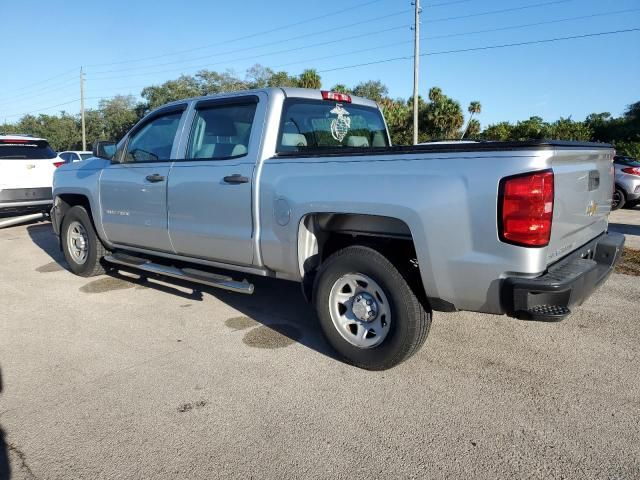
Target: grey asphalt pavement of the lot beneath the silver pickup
115, 377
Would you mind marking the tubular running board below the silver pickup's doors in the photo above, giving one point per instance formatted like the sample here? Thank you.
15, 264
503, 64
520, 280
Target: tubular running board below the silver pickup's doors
189, 274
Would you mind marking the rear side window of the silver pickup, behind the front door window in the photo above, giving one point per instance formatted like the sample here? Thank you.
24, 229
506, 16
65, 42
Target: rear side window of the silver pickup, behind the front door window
221, 131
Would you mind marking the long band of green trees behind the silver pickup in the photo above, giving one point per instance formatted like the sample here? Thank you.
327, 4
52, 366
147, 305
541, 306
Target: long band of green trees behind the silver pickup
440, 117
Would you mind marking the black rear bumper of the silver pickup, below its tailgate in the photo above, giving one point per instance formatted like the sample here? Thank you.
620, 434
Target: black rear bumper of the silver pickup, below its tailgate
566, 284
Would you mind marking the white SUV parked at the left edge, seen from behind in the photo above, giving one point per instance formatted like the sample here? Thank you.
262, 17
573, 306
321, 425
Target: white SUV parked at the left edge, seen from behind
26, 174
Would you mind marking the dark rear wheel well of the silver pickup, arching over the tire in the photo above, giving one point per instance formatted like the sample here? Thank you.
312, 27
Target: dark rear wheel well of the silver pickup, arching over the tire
322, 234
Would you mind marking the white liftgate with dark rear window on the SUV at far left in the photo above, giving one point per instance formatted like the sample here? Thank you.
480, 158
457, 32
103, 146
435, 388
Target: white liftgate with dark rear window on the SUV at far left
26, 164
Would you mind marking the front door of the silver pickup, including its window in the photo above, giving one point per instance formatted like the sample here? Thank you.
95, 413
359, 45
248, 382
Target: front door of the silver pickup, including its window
133, 192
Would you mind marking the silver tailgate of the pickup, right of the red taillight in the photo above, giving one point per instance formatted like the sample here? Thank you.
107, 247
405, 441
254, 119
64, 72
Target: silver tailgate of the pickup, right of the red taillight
583, 184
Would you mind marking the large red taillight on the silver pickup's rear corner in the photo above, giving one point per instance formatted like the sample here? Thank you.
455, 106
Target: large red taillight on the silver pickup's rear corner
525, 209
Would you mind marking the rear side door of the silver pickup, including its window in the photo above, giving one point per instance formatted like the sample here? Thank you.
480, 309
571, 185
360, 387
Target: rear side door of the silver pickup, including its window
210, 214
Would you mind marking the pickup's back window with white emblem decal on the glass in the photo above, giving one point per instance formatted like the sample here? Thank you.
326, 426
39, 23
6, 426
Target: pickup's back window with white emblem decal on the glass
309, 125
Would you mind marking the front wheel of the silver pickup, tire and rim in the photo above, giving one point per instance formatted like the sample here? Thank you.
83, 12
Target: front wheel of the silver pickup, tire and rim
88, 262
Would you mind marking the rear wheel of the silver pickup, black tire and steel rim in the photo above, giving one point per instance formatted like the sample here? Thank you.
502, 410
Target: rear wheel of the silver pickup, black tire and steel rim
379, 282
